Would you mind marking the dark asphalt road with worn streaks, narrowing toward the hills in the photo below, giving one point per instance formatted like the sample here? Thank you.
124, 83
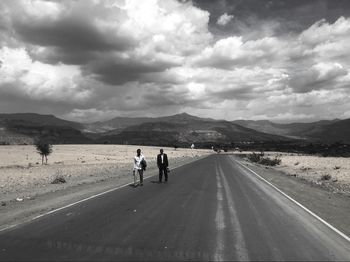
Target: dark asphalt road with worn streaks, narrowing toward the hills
212, 209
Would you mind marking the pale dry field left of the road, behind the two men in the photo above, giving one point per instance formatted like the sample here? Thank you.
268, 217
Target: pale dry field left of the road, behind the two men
22, 175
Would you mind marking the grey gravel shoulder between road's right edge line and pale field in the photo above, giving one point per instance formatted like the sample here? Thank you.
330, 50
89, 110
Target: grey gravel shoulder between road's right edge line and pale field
332, 206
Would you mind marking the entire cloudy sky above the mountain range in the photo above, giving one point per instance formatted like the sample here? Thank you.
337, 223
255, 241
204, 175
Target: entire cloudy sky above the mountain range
88, 60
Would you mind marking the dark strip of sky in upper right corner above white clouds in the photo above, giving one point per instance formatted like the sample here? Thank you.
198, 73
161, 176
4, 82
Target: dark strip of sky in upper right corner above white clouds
286, 15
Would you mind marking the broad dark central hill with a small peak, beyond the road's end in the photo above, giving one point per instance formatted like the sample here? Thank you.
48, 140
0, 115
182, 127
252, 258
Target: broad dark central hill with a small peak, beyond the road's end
184, 129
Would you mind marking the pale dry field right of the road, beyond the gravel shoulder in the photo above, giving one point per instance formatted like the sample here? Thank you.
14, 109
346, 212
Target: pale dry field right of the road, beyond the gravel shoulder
315, 169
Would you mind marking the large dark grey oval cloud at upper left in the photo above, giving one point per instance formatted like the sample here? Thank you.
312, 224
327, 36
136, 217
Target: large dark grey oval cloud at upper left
71, 40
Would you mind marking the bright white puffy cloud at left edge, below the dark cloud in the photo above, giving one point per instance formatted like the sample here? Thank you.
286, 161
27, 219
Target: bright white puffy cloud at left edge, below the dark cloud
38, 80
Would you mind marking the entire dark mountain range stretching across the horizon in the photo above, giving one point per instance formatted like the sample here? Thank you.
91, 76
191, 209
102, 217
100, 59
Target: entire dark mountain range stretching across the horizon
177, 130
